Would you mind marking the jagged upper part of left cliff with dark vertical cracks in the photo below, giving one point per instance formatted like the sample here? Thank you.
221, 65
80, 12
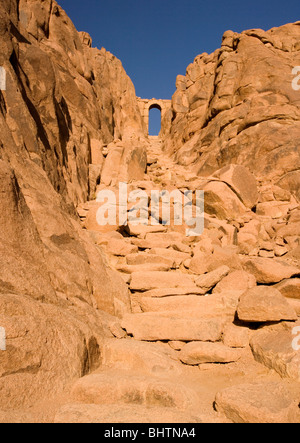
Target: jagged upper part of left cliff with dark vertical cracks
63, 97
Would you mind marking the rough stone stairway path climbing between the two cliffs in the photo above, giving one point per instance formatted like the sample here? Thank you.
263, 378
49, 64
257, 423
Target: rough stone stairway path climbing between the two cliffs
180, 354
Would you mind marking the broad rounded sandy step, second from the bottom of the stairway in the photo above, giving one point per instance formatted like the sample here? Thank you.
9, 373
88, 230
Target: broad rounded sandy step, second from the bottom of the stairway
122, 387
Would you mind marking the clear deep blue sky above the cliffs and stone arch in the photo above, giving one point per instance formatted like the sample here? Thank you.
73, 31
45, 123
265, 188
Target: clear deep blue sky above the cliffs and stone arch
157, 39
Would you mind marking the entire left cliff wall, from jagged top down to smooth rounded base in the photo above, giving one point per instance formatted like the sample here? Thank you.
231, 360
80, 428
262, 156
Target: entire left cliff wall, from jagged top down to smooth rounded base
63, 103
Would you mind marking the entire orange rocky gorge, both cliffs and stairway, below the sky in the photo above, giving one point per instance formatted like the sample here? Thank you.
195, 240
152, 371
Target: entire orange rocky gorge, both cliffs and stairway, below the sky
144, 324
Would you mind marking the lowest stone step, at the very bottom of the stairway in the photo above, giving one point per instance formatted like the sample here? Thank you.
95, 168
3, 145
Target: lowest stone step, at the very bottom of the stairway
97, 414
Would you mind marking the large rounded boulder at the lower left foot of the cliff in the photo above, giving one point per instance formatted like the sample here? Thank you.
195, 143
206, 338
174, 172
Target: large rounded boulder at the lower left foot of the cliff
47, 347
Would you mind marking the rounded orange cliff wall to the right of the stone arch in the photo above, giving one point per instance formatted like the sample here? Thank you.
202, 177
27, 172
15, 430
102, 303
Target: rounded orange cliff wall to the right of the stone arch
238, 106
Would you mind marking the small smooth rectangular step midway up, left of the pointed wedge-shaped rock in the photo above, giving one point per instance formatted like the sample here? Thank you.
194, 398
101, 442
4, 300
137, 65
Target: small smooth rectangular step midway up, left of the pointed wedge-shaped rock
146, 281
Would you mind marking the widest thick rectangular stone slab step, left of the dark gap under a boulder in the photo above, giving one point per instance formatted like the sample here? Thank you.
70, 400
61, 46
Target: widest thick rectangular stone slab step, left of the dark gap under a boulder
167, 327
